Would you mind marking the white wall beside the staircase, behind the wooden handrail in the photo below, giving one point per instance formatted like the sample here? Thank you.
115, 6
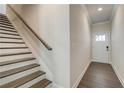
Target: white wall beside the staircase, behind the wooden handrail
51, 23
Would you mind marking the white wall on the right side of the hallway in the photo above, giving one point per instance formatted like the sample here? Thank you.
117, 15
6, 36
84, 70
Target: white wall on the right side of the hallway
117, 37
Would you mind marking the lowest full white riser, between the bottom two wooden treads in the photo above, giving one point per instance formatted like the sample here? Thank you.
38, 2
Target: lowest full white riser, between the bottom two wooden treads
30, 83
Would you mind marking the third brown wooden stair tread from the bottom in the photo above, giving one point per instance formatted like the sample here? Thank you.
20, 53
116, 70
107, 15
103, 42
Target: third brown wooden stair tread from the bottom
17, 70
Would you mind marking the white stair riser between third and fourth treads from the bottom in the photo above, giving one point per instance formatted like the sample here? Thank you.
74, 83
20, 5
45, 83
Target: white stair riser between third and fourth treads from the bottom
16, 65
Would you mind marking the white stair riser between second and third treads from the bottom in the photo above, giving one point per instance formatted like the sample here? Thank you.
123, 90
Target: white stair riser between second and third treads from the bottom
18, 75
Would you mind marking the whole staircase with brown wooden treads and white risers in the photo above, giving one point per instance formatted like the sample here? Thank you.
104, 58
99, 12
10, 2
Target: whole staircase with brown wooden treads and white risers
18, 66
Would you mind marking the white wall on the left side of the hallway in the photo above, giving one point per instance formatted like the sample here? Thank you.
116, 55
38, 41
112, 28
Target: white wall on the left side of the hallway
80, 48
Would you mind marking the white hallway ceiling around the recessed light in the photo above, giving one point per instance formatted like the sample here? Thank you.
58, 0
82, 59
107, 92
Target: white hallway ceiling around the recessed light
99, 16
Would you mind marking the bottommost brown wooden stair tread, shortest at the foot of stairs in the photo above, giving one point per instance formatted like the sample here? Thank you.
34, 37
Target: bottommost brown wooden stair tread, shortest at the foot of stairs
42, 84
